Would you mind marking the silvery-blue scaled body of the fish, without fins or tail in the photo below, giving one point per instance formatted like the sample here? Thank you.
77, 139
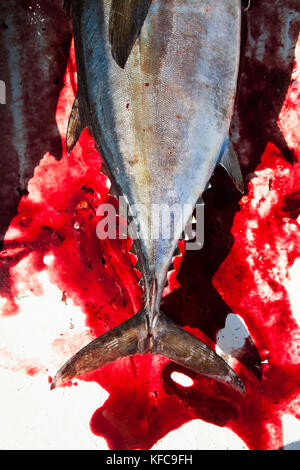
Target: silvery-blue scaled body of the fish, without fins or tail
161, 122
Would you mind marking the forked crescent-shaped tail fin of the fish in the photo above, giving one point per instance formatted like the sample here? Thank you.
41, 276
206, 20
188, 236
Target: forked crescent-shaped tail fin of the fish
165, 338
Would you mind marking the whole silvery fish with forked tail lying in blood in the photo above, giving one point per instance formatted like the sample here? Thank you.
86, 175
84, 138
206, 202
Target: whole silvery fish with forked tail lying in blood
157, 85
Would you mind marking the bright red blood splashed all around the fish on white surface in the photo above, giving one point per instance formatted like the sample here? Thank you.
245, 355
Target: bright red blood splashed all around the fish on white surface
58, 216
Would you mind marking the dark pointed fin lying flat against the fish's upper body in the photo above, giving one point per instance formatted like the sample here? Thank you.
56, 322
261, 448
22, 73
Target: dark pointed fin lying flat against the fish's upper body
125, 23
